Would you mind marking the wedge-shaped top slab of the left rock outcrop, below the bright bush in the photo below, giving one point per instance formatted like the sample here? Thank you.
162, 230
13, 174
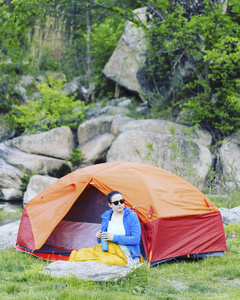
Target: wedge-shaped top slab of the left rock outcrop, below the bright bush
57, 142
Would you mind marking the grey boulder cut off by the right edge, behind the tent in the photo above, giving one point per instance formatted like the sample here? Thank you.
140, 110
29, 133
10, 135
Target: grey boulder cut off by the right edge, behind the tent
230, 158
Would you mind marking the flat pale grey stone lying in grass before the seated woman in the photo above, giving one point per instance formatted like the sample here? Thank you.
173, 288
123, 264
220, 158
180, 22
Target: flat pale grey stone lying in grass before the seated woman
86, 270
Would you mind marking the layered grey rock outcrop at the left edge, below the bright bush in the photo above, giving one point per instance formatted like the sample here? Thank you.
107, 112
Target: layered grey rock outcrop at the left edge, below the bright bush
16, 163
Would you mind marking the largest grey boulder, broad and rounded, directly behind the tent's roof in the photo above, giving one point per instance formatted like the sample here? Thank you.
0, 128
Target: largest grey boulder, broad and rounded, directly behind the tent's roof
149, 141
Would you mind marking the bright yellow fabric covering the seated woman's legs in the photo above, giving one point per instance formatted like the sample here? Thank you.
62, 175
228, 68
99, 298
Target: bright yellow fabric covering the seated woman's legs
114, 256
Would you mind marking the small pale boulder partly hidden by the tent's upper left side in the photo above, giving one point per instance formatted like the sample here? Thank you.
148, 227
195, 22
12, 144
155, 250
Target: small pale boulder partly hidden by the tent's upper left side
37, 184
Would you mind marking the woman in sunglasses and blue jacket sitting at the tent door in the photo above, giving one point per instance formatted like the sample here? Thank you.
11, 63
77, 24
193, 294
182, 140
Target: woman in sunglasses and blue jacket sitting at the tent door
121, 228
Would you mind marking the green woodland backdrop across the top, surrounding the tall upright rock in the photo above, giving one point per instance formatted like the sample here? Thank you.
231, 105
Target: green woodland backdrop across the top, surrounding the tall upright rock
77, 38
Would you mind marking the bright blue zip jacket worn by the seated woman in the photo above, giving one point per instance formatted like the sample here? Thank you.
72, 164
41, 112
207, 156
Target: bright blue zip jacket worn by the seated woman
132, 229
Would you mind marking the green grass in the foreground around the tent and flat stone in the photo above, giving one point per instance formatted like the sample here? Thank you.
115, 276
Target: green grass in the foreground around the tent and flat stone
209, 278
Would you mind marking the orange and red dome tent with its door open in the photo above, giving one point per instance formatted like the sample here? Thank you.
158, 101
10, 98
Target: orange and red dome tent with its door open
177, 219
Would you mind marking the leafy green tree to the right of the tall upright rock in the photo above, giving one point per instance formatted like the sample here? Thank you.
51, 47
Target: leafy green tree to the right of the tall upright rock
209, 42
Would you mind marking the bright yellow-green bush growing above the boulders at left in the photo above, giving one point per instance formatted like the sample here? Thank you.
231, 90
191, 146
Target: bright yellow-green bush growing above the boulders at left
53, 109
